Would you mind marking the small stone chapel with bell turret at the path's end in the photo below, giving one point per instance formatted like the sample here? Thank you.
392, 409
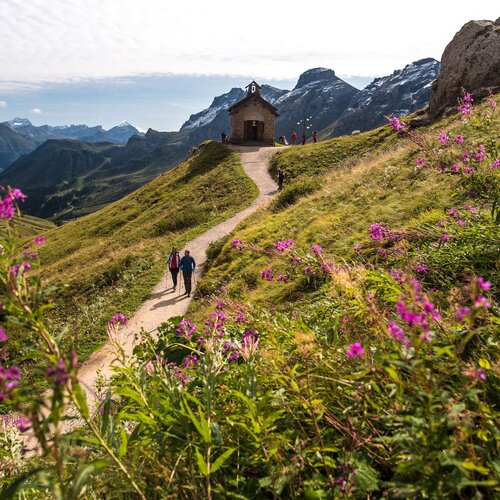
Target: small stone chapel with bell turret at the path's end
252, 119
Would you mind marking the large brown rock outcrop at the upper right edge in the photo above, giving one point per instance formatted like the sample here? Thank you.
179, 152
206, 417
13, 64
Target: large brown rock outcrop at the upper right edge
471, 61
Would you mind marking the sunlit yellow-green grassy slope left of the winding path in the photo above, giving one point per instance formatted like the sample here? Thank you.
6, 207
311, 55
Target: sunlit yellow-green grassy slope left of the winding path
110, 260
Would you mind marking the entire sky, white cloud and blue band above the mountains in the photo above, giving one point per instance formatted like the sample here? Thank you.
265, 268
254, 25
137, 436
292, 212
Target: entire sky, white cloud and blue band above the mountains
155, 62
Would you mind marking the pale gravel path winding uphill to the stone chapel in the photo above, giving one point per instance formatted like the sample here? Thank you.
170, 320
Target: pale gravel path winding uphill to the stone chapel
164, 303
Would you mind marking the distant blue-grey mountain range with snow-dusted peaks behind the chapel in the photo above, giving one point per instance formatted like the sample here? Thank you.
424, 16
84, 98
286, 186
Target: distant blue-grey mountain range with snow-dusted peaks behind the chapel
79, 168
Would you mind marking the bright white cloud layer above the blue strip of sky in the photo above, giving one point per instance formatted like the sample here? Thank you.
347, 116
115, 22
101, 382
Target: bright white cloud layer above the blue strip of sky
77, 40
